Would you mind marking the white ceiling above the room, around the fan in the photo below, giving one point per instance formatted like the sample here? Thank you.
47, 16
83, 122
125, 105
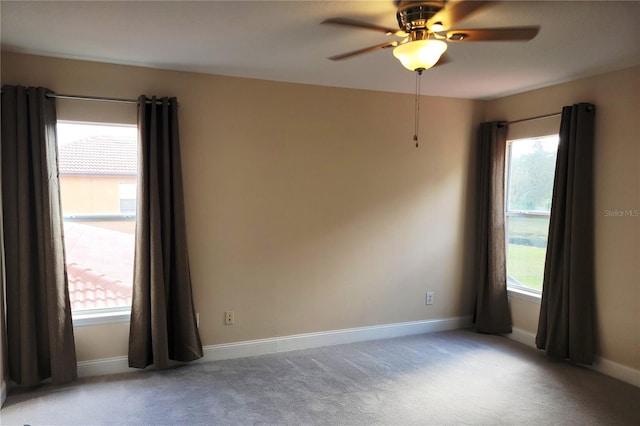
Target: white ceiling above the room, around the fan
284, 41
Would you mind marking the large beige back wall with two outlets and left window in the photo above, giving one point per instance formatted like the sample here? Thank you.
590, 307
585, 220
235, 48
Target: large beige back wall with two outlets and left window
308, 208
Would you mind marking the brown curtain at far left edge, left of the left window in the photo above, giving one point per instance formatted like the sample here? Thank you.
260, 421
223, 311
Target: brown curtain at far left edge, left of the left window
39, 327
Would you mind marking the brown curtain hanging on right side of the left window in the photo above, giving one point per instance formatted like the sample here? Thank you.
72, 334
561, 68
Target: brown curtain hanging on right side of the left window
163, 323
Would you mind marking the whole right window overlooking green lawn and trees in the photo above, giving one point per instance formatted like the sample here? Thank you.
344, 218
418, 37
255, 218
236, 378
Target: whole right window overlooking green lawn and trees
530, 173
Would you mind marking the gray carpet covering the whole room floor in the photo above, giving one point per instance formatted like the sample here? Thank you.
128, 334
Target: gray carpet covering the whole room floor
456, 377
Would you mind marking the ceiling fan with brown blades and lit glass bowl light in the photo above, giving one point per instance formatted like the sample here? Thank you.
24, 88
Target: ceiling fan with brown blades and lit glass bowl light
425, 29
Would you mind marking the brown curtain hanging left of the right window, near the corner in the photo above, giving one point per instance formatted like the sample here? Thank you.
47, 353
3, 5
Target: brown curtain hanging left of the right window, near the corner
492, 313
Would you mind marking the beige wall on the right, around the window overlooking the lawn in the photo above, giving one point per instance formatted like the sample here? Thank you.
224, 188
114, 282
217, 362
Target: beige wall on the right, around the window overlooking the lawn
617, 187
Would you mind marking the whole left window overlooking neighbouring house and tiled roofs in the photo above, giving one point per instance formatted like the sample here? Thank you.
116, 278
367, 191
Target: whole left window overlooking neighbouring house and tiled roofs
98, 168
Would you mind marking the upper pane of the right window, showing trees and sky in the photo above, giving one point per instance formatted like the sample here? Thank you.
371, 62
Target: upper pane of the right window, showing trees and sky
531, 169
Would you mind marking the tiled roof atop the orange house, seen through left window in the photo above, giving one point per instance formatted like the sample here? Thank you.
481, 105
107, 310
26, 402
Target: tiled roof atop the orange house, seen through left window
99, 156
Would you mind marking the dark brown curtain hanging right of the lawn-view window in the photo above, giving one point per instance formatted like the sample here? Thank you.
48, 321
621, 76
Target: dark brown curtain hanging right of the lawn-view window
565, 327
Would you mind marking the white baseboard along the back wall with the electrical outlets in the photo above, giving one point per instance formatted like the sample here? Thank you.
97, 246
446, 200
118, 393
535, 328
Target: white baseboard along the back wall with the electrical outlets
289, 343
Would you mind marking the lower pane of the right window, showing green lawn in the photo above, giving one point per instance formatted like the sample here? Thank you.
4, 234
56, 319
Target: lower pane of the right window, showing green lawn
526, 250
